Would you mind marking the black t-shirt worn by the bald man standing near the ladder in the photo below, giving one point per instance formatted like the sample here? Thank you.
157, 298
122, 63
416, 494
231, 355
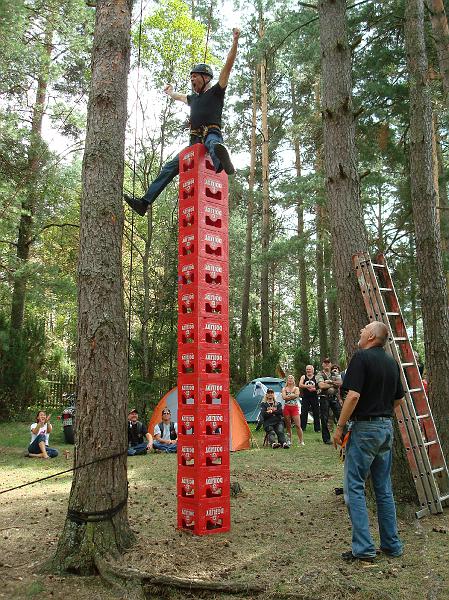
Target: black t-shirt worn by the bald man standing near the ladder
374, 374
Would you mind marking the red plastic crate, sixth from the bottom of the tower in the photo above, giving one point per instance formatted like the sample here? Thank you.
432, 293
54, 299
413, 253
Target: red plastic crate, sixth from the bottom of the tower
203, 361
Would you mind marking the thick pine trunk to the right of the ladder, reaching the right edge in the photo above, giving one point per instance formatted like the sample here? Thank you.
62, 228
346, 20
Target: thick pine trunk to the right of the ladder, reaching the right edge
433, 288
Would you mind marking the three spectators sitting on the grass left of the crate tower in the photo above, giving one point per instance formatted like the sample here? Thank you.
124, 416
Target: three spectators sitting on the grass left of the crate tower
140, 441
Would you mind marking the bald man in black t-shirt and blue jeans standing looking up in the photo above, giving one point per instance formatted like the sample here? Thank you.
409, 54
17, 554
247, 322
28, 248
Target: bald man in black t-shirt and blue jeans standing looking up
373, 385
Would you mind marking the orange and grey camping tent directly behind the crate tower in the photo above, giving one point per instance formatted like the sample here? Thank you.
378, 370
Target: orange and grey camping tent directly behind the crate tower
240, 433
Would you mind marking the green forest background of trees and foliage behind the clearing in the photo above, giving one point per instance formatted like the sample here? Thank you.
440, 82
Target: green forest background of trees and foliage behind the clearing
284, 309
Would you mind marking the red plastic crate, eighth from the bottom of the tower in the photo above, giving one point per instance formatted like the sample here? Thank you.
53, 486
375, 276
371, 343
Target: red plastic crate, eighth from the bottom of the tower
202, 301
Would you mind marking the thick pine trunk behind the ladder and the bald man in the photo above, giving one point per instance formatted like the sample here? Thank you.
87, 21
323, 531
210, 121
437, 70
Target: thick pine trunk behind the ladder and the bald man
348, 234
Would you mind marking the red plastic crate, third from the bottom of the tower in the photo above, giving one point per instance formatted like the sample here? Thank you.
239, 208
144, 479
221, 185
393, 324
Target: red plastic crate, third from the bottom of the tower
210, 451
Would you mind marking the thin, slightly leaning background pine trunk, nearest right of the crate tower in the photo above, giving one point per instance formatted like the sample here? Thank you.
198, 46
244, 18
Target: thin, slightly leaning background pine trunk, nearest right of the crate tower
243, 370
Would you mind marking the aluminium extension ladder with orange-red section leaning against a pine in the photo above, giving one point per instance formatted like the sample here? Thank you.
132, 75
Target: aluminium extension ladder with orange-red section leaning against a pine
416, 424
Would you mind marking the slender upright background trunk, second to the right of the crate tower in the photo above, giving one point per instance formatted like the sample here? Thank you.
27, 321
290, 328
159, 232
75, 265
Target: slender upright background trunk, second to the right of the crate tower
265, 231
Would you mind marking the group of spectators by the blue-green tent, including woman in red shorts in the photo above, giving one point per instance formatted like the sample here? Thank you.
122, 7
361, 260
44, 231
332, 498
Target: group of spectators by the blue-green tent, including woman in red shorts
316, 393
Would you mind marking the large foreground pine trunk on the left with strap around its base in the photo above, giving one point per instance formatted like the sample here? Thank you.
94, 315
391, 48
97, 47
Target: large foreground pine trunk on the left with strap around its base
102, 358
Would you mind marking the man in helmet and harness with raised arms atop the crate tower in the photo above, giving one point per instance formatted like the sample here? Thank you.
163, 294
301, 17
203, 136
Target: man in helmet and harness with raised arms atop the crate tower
206, 106
